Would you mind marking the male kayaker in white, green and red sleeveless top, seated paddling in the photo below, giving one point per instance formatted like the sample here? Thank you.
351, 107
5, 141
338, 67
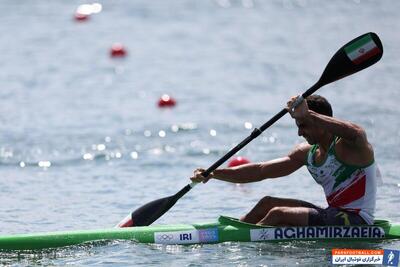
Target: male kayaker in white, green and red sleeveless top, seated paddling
338, 156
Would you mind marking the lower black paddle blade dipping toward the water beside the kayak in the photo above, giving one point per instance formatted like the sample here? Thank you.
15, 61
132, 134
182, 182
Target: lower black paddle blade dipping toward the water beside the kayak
150, 212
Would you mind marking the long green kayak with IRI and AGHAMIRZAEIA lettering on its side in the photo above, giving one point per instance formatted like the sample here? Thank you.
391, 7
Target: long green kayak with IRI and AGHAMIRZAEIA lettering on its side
223, 230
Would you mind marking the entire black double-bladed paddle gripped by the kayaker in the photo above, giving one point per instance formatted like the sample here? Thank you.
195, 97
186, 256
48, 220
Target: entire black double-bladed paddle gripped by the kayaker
354, 56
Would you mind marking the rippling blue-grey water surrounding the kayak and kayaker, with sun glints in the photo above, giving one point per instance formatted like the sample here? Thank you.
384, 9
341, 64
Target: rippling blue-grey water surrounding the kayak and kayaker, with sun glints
82, 142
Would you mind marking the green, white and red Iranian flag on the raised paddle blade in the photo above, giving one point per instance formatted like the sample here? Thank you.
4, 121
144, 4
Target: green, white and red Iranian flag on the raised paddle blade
362, 49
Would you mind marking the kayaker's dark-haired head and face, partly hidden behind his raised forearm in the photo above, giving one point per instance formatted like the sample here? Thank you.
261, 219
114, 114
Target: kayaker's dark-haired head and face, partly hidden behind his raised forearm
311, 133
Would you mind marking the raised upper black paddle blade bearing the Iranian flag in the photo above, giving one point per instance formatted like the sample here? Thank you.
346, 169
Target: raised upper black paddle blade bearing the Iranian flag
354, 56
